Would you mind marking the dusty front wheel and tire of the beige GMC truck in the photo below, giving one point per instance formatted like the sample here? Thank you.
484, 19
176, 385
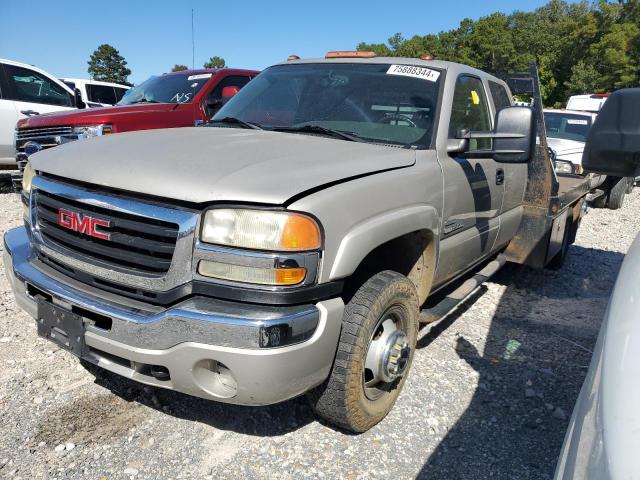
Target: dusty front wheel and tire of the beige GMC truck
378, 338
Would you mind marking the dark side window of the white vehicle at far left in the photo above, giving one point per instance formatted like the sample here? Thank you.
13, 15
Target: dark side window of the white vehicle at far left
26, 85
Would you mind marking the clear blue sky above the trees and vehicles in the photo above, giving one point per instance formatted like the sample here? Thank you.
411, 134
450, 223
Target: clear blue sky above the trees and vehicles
153, 36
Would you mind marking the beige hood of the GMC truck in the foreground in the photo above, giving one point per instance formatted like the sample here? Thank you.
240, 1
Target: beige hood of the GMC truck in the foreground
212, 164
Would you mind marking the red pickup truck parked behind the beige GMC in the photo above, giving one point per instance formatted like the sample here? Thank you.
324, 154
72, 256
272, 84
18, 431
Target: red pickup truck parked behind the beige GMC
178, 99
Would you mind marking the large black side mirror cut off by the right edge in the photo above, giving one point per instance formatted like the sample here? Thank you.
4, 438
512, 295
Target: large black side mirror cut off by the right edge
613, 144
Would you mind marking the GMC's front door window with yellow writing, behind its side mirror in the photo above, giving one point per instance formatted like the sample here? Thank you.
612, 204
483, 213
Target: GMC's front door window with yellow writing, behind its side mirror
470, 111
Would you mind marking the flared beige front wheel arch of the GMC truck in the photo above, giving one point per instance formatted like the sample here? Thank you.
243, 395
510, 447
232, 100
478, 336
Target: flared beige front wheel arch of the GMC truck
365, 236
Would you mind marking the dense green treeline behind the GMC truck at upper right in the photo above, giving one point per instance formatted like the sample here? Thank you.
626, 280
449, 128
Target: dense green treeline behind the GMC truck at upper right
580, 47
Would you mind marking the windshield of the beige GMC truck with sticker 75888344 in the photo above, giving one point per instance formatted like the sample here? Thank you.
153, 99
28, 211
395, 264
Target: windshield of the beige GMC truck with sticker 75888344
377, 103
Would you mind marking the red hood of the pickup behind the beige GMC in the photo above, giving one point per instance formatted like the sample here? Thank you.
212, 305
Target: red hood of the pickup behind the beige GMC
92, 116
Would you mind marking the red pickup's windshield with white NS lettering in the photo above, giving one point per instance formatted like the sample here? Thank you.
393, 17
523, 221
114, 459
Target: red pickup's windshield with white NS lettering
173, 88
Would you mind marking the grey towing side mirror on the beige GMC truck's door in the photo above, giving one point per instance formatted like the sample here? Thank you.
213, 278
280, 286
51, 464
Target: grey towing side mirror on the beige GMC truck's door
513, 137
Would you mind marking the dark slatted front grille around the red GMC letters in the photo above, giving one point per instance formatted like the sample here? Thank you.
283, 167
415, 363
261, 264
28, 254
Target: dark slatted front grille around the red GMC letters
137, 244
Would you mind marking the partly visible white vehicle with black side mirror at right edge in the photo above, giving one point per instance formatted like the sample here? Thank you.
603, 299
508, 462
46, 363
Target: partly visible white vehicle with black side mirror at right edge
603, 440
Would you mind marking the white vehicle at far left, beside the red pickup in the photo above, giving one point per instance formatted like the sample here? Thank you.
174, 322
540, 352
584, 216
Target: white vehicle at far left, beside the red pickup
26, 90
